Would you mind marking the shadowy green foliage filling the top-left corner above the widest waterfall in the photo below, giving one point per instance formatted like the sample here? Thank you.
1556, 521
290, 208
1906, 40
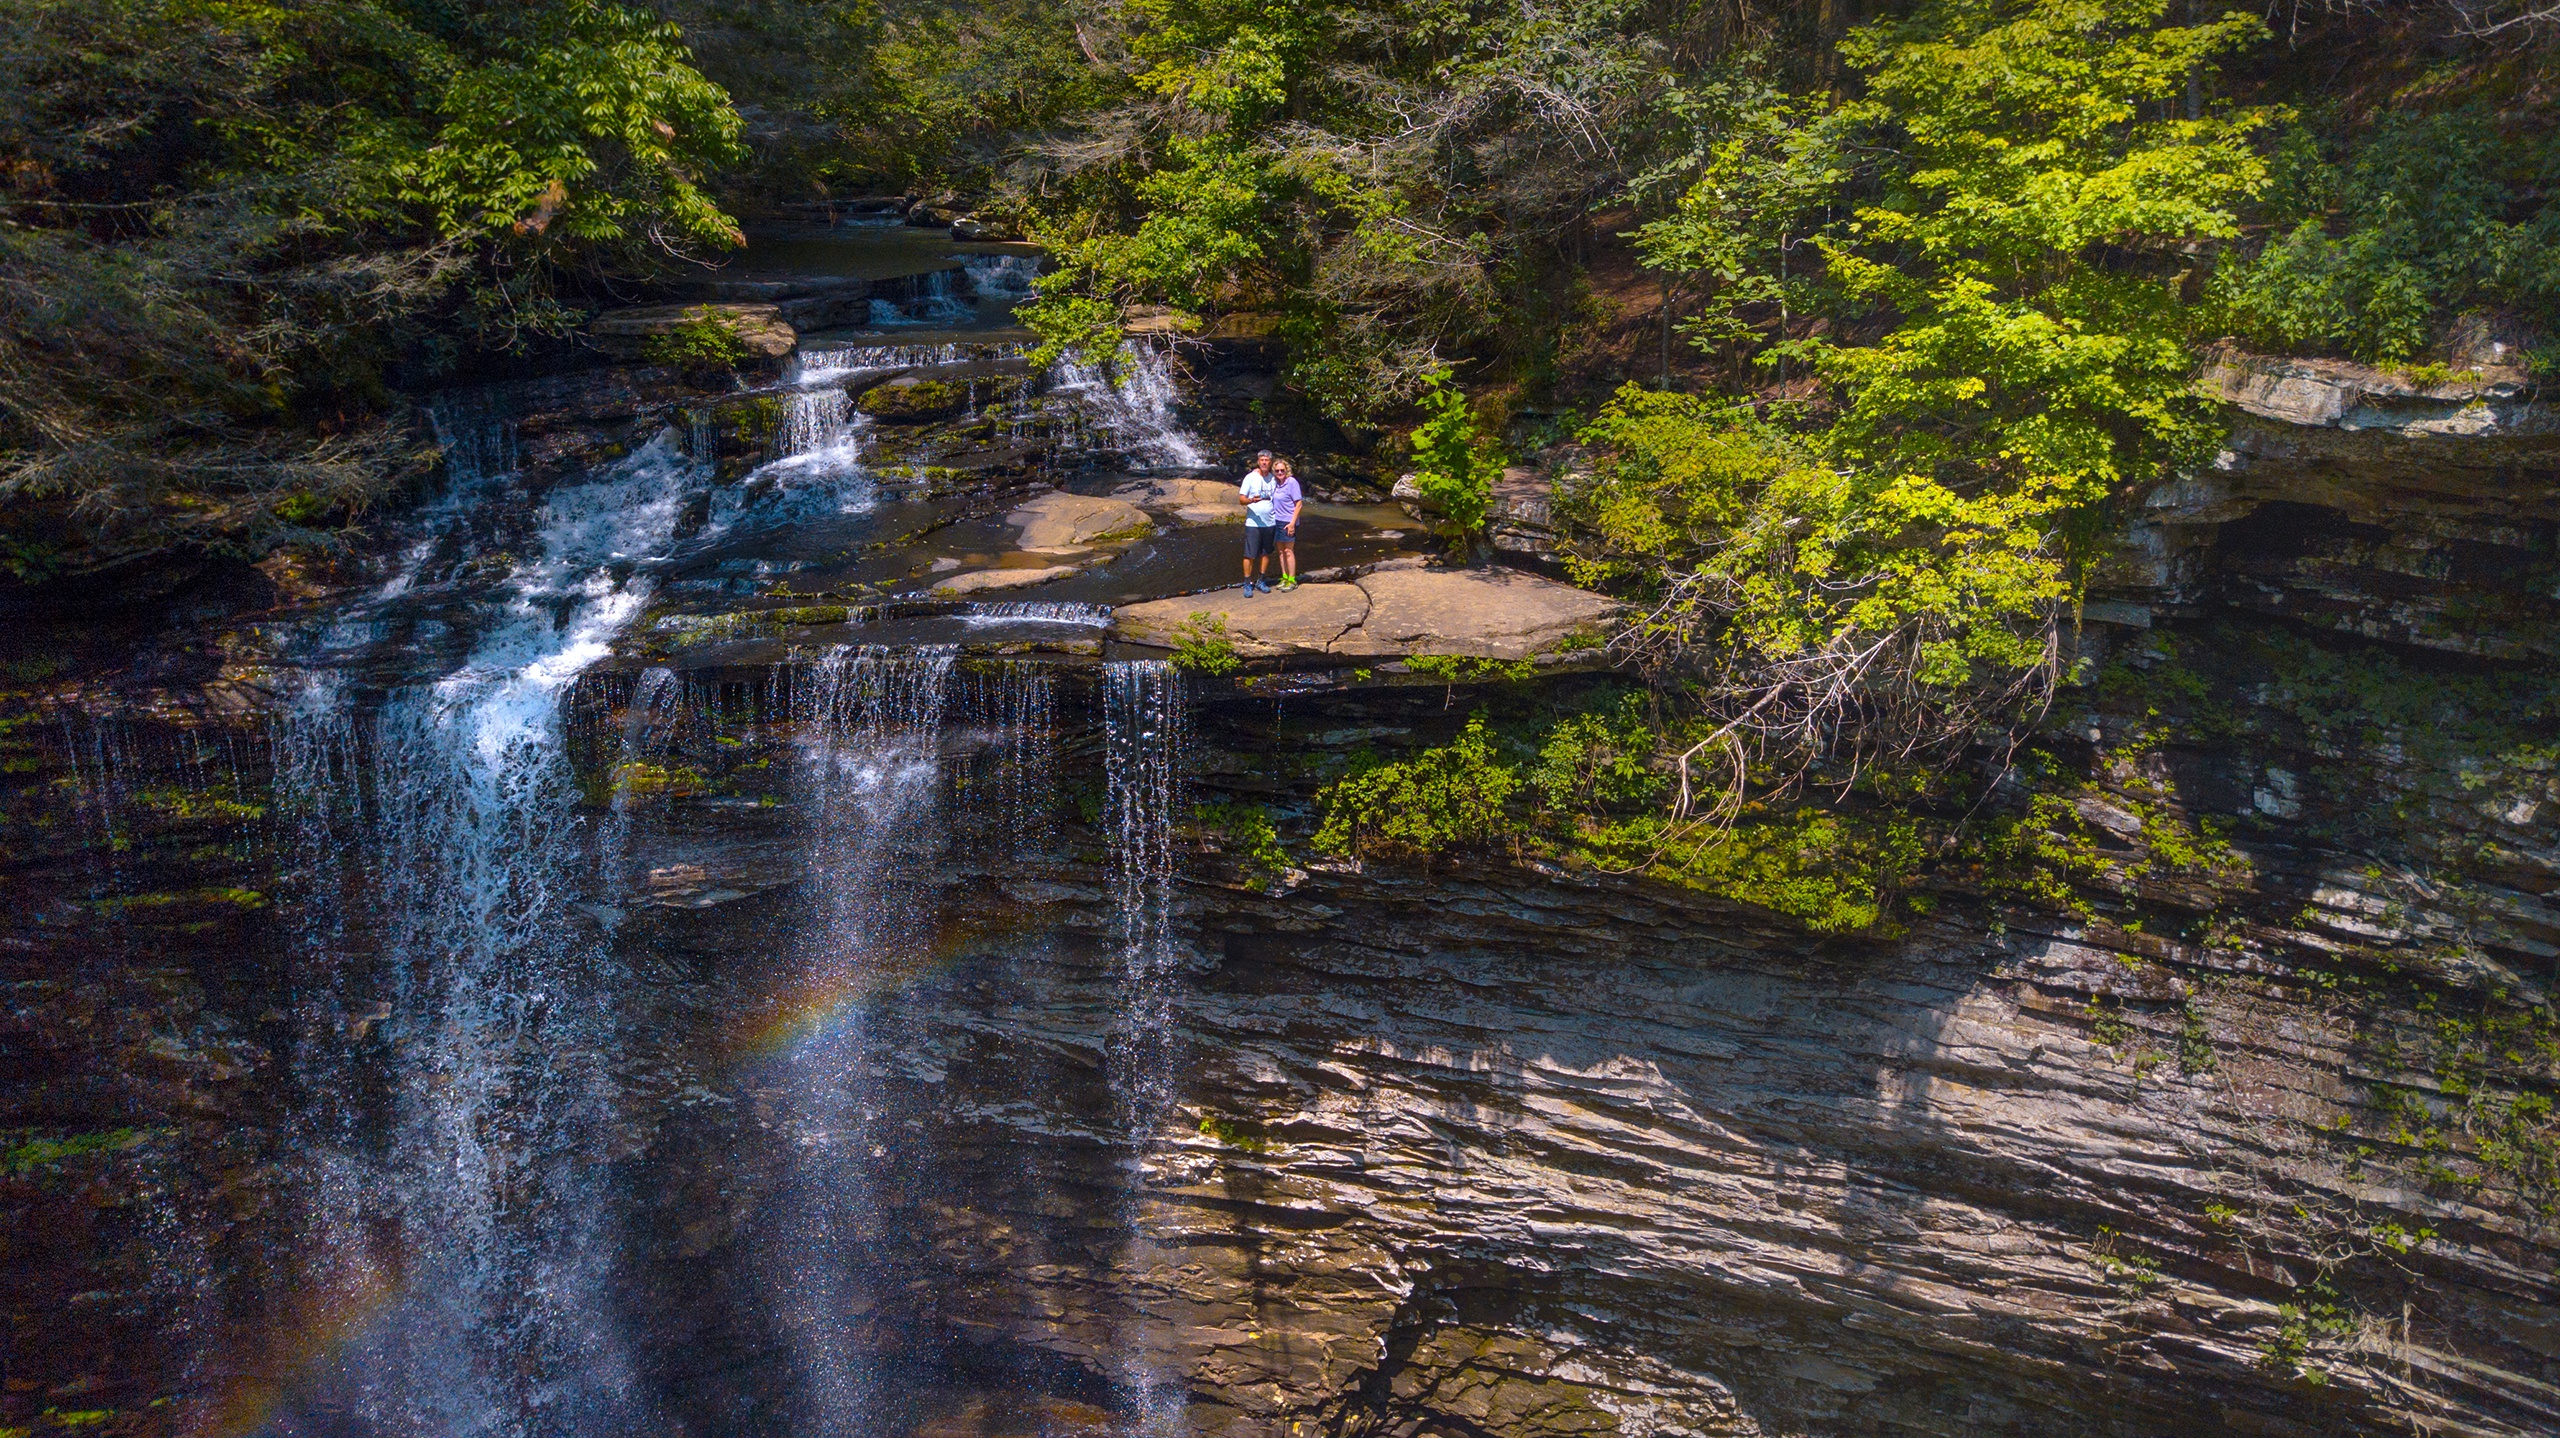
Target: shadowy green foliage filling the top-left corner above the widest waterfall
232, 216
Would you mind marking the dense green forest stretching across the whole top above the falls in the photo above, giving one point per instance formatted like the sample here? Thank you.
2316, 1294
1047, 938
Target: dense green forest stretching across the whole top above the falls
1916, 296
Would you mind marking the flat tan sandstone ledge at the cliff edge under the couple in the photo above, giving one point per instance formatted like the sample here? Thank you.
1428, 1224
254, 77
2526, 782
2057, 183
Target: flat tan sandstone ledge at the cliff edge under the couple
1496, 615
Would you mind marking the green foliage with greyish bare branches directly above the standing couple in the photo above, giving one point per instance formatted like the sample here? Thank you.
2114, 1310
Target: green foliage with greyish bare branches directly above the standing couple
1384, 178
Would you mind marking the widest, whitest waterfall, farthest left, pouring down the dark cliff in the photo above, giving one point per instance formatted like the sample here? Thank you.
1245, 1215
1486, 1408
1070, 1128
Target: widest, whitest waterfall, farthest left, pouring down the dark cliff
470, 1229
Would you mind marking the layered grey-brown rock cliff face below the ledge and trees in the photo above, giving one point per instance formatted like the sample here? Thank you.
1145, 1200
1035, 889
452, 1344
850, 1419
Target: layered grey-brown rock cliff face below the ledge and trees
2228, 1127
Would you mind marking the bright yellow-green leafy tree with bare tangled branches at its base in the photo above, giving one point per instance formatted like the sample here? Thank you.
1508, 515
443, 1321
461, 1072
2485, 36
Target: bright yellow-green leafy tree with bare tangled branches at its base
1891, 582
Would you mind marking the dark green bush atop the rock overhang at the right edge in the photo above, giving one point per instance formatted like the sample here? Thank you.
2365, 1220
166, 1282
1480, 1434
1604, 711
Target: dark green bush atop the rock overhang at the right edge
2380, 242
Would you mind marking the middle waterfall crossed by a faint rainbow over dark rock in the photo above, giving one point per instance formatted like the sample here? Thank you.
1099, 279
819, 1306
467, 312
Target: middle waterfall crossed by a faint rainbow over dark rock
869, 789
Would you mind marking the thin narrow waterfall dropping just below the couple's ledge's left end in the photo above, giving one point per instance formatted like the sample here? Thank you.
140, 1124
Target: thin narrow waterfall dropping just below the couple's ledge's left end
1143, 787
